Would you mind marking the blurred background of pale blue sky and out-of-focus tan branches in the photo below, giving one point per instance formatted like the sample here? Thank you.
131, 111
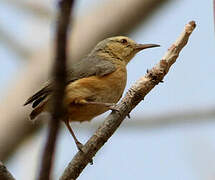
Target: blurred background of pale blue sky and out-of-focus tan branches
171, 134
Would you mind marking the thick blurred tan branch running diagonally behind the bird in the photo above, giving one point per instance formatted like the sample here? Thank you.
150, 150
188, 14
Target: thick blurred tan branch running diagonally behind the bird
13, 119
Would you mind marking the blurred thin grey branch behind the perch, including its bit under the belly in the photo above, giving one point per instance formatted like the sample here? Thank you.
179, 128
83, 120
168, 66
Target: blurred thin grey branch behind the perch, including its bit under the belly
193, 117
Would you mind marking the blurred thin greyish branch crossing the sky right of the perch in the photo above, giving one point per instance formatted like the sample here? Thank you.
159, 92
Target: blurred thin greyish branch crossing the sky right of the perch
174, 118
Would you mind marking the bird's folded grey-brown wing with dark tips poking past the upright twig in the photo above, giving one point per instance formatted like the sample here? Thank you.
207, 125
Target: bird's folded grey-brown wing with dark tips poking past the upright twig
89, 66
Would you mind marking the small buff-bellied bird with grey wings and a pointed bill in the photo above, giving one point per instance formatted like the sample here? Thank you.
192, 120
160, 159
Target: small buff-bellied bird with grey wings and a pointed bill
94, 84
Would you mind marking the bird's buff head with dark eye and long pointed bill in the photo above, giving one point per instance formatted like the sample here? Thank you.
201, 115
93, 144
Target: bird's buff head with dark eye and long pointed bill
121, 47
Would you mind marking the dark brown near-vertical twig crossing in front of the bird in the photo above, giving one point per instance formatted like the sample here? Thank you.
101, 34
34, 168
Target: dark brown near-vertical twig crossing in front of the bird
60, 83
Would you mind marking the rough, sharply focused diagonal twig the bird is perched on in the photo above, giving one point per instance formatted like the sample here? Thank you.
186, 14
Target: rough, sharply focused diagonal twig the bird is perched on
134, 95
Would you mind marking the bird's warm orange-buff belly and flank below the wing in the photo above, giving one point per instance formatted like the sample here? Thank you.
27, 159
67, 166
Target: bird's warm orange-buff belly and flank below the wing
106, 89
